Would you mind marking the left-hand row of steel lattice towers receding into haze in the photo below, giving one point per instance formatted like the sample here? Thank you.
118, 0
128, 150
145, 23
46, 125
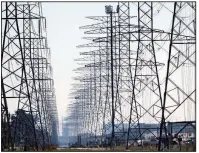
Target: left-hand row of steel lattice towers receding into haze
27, 83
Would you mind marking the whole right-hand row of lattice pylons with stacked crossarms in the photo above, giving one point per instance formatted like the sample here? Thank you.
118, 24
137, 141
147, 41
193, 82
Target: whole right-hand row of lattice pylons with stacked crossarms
121, 83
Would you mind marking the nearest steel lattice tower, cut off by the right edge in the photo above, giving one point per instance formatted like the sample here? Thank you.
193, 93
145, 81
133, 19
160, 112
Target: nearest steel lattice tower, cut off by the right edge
181, 59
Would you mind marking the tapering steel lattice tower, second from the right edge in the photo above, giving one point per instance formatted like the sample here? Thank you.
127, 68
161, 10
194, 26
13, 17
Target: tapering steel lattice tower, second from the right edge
146, 79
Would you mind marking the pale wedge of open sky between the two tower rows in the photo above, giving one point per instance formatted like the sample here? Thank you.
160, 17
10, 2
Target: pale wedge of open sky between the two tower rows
63, 22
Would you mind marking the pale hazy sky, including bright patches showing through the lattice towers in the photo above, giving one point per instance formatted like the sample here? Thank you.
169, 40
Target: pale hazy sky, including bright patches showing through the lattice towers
63, 21
